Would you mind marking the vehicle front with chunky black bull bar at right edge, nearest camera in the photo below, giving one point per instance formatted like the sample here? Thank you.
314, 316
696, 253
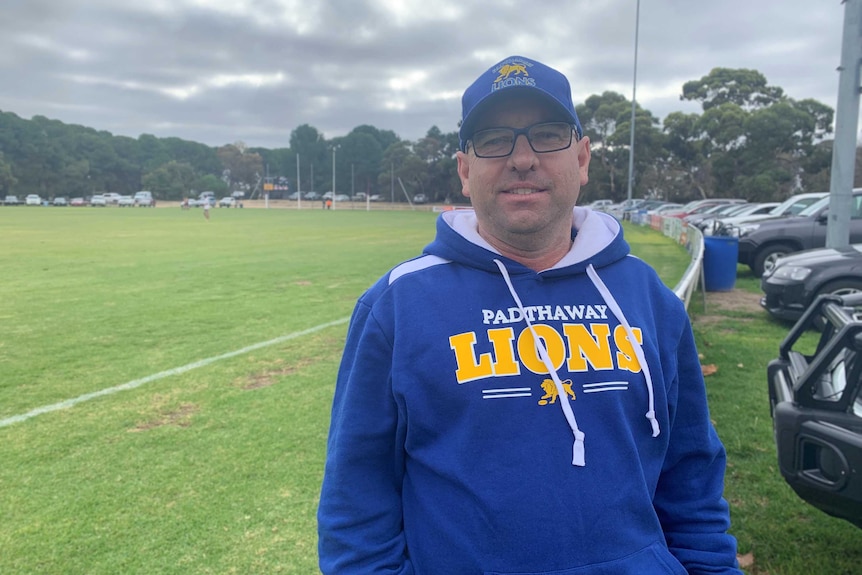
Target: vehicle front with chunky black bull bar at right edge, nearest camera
816, 408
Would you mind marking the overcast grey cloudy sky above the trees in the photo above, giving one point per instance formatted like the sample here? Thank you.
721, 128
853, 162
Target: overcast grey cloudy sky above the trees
221, 71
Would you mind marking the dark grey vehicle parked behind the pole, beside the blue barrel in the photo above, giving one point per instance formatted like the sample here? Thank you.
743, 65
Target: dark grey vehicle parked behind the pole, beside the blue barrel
762, 243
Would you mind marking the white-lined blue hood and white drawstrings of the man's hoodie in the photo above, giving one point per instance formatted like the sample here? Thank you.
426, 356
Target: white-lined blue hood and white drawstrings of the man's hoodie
597, 242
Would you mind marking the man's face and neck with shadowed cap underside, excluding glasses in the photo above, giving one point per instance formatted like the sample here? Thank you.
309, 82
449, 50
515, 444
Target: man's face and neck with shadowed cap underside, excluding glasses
523, 200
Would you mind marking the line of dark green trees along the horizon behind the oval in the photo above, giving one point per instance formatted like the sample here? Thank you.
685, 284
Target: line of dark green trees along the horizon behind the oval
750, 141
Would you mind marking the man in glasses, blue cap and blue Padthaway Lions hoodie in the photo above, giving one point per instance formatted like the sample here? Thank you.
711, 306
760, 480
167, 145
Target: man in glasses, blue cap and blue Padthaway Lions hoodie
525, 397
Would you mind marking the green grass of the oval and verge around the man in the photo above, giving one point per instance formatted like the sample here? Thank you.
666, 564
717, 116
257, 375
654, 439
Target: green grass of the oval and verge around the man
214, 467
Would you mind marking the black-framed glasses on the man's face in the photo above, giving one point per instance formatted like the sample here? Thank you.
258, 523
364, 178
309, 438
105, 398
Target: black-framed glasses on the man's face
543, 137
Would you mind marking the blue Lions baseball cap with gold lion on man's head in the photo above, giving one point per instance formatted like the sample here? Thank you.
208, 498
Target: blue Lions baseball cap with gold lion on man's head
521, 74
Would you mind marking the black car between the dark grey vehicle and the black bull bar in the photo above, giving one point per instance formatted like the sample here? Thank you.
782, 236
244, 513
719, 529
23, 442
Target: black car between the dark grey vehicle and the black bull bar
795, 281
